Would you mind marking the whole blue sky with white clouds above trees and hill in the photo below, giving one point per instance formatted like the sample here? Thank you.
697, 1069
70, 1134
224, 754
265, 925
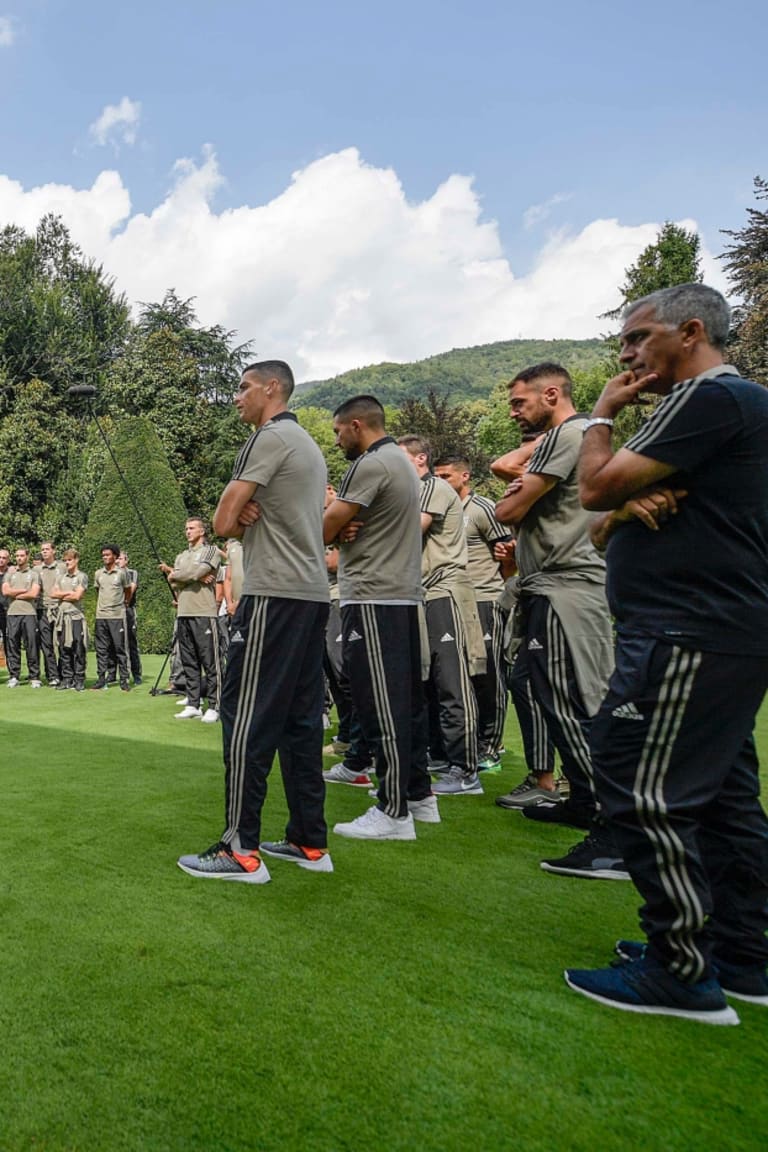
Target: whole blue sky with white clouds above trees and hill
560, 135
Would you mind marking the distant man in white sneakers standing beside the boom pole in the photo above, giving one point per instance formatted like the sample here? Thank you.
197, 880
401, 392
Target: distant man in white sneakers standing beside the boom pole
193, 579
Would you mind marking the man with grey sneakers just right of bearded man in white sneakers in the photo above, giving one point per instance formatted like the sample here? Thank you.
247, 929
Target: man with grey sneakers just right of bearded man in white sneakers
457, 648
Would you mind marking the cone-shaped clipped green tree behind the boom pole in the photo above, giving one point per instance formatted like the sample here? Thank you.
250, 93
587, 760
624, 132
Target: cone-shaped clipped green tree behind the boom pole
113, 520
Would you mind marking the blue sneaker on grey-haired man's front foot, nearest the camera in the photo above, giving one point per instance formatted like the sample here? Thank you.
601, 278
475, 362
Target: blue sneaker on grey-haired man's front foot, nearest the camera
644, 987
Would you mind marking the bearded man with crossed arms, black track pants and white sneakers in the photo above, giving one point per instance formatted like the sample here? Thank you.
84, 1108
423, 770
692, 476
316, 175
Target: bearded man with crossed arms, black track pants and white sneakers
381, 592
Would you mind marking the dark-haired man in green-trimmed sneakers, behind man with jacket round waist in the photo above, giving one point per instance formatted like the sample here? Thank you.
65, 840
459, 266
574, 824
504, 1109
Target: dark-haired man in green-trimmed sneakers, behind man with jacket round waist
484, 533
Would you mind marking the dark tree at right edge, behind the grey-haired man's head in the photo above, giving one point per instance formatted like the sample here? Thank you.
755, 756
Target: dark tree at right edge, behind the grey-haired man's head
747, 263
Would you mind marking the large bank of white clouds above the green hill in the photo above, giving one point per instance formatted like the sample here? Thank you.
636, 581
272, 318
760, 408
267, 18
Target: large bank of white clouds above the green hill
340, 270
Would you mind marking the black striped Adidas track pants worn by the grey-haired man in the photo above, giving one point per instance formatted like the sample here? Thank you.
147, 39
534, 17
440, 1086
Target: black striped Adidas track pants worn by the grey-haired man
676, 774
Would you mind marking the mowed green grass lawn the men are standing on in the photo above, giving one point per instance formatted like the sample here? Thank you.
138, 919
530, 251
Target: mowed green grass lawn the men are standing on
412, 1001
